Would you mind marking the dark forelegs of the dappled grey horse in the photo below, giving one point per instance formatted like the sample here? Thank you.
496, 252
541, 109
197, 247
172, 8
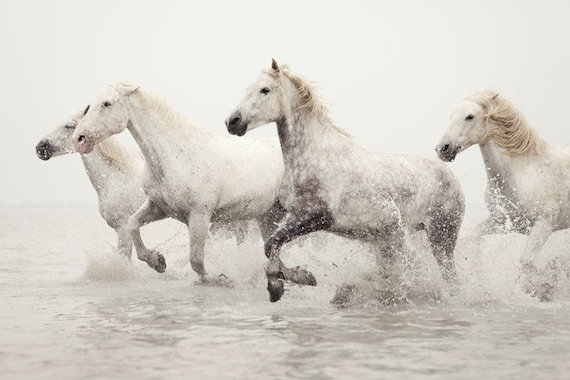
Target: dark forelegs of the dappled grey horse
276, 271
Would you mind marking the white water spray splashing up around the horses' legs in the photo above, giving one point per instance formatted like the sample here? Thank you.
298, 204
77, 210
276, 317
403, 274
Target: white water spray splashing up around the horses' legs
340, 263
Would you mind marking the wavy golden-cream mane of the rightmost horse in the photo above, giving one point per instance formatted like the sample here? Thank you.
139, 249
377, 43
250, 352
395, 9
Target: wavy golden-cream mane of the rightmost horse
506, 125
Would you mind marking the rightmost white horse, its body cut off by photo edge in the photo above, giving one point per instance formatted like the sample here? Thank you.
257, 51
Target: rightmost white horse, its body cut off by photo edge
528, 180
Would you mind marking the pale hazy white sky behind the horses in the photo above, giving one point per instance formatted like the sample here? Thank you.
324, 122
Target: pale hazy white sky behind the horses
391, 71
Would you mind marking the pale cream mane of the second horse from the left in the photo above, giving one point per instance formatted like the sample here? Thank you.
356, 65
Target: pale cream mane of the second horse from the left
168, 115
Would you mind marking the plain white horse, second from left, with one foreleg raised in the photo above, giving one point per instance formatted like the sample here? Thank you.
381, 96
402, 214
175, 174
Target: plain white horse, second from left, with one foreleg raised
191, 175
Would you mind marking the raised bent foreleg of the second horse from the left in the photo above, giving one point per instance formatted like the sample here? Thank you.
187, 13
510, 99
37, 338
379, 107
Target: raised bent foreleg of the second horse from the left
149, 212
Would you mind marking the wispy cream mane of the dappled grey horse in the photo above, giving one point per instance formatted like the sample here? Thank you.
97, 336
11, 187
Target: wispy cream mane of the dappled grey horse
311, 103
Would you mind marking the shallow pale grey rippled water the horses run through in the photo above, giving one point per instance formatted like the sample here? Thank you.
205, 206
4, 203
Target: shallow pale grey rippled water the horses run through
72, 309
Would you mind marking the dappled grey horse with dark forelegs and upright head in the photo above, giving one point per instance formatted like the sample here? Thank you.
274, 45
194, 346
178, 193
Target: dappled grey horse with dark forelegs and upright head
334, 184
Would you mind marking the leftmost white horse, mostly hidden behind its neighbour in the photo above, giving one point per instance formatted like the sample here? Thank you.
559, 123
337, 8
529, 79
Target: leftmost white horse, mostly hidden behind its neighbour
115, 174
